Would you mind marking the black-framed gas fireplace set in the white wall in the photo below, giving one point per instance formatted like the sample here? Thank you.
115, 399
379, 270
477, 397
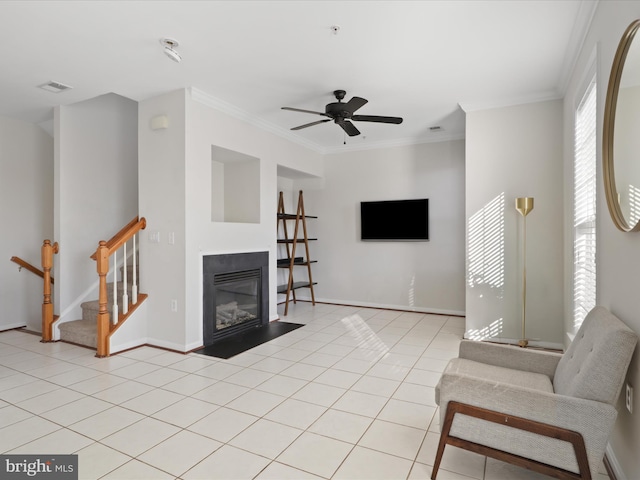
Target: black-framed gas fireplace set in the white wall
235, 294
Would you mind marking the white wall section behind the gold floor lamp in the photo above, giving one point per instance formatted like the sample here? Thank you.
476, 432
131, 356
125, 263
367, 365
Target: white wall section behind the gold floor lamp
514, 152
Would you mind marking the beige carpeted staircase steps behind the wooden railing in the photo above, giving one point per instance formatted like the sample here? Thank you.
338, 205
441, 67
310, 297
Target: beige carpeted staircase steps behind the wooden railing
85, 331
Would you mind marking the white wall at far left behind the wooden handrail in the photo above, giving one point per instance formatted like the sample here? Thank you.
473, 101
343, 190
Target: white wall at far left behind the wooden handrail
26, 213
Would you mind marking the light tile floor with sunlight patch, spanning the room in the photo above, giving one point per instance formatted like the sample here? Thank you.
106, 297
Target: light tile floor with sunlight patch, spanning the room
348, 396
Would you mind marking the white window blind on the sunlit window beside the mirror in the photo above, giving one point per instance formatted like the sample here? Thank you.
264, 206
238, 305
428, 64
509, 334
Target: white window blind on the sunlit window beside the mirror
584, 207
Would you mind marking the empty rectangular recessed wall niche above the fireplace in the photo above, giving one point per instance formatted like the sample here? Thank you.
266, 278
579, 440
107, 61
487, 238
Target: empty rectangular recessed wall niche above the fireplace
235, 186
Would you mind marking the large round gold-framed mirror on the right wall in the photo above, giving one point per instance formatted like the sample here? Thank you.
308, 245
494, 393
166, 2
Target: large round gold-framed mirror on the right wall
621, 134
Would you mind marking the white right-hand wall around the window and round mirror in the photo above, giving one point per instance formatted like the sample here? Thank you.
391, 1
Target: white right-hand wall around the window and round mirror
618, 261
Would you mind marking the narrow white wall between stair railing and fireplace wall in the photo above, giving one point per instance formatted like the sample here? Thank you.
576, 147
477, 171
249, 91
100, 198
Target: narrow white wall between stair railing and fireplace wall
161, 170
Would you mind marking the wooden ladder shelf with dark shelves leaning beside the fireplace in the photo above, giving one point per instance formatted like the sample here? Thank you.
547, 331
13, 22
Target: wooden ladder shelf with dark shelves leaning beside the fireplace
291, 243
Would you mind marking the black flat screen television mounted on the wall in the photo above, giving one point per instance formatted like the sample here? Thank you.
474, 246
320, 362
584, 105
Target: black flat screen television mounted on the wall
395, 220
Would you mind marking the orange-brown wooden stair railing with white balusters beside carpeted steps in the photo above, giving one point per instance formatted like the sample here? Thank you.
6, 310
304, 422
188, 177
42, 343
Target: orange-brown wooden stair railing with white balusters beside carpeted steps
101, 256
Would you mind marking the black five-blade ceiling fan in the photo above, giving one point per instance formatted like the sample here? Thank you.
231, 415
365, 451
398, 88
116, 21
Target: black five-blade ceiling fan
341, 113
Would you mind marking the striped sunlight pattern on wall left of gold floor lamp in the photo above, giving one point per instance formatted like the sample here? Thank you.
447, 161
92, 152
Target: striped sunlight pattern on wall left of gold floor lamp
485, 269
